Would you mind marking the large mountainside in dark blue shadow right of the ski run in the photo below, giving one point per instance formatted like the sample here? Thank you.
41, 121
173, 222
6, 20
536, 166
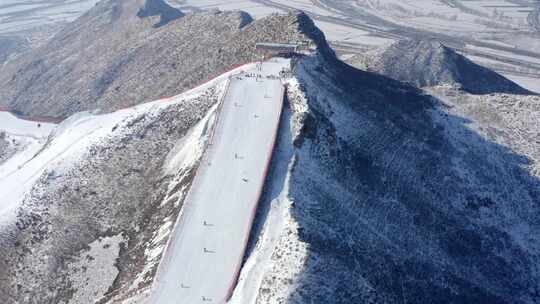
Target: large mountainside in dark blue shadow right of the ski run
382, 193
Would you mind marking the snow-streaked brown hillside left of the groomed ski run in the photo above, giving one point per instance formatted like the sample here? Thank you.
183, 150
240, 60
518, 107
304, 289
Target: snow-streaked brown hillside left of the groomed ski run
85, 218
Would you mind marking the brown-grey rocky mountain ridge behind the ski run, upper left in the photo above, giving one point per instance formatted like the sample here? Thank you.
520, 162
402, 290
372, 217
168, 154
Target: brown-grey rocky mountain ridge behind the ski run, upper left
110, 58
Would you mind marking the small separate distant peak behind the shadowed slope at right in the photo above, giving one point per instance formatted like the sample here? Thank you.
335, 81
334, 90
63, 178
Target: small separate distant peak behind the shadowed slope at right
425, 63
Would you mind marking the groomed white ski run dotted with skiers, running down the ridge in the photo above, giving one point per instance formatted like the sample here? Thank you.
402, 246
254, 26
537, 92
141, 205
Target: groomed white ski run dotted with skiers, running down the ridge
202, 261
